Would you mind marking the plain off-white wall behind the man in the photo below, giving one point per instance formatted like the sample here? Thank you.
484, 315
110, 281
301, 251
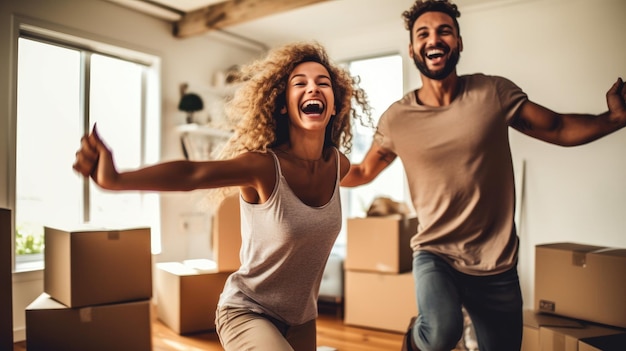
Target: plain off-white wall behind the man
565, 54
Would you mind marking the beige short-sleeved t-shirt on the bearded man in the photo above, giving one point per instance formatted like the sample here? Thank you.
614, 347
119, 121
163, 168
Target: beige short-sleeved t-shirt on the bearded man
458, 164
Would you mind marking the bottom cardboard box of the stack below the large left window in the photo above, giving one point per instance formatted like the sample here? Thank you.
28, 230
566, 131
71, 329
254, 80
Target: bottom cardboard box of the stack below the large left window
52, 326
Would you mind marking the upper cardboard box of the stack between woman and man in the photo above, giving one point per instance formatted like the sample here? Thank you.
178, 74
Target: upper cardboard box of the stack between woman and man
380, 244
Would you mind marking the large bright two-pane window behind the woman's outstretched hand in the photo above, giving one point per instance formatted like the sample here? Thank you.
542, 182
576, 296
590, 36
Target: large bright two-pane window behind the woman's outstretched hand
64, 88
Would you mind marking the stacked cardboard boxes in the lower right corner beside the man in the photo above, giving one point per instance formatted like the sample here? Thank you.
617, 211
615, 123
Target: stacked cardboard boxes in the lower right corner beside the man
580, 299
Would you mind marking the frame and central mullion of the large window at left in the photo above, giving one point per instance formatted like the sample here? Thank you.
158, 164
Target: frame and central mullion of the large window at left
150, 119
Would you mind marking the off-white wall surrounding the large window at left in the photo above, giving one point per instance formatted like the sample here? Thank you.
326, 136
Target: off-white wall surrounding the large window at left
192, 60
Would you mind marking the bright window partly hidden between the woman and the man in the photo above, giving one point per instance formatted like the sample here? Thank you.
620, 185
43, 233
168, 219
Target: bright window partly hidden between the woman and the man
381, 78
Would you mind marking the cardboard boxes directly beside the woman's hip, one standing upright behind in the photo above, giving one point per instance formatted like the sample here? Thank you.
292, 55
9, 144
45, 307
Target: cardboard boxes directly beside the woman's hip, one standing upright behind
187, 292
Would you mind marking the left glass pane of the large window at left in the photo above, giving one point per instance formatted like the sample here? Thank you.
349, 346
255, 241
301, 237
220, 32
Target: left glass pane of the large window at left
48, 130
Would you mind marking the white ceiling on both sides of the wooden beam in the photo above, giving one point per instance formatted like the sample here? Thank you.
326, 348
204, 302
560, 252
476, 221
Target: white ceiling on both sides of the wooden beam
321, 21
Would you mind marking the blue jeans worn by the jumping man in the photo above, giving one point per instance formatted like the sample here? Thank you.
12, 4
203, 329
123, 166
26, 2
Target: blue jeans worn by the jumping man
493, 302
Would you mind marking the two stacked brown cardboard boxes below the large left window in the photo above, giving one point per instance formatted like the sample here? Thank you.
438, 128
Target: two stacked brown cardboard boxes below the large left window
97, 291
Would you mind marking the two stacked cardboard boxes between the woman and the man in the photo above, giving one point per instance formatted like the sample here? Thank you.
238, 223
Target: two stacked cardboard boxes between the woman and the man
379, 289
